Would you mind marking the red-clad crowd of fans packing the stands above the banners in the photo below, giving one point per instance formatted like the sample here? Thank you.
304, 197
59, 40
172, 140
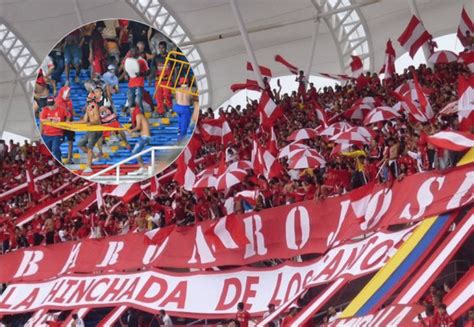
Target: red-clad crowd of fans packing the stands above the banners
402, 141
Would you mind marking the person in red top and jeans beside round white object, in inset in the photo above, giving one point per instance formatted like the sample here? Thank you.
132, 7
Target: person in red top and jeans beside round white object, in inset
136, 80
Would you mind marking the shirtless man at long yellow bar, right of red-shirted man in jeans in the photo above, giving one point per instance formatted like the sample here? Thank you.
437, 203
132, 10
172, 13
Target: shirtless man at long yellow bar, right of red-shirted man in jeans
89, 140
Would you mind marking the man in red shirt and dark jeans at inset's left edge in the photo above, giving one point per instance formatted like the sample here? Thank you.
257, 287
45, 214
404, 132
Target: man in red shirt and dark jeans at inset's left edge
52, 136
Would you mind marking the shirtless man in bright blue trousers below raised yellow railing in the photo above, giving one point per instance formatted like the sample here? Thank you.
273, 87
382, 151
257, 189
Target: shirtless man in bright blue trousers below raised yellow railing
183, 108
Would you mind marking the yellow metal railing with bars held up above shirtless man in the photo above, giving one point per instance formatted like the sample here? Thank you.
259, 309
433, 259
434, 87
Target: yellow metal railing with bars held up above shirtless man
174, 63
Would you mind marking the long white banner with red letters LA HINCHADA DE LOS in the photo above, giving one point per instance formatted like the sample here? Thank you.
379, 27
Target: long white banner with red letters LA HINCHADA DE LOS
213, 294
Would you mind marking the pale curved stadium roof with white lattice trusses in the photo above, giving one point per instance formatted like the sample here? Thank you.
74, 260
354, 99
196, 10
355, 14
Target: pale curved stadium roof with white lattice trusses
29, 29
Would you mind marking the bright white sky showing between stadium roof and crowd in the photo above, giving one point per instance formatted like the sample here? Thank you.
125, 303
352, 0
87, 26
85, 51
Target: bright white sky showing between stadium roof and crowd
288, 83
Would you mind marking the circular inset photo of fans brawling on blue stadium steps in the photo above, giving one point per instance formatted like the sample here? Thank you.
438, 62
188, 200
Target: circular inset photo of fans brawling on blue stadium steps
116, 101
